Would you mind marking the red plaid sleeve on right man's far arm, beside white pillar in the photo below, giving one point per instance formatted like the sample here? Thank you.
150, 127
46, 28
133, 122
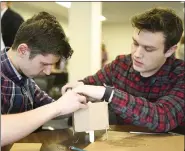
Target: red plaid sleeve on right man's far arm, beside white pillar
105, 75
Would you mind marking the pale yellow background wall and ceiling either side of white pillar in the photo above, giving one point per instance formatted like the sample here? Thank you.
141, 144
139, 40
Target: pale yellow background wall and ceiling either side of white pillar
116, 29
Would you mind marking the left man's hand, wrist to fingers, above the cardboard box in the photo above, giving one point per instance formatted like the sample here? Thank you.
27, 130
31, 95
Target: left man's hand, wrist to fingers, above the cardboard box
70, 102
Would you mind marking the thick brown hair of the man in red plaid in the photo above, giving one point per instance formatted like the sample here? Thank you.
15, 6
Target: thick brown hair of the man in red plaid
160, 20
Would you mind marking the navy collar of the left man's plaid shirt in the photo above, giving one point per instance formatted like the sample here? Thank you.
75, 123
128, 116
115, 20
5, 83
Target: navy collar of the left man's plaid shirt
9, 70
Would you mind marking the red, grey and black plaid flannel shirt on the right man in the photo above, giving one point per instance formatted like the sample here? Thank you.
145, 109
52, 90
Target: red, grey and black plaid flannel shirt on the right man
156, 102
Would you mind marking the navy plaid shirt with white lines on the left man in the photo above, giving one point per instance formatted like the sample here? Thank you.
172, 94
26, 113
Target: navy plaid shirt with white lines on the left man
18, 93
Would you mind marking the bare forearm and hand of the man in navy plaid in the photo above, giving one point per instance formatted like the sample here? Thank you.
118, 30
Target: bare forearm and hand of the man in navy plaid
68, 103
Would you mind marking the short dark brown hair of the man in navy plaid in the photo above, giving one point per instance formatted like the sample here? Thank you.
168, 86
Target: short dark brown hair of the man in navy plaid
44, 35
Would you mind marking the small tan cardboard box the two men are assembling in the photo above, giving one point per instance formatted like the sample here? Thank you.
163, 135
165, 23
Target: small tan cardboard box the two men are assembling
95, 117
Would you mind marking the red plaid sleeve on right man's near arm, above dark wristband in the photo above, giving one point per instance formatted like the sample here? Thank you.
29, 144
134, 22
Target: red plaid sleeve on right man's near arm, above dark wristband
163, 115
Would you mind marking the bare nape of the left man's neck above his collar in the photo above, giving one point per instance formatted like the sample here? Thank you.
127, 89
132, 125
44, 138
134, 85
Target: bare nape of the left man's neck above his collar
12, 55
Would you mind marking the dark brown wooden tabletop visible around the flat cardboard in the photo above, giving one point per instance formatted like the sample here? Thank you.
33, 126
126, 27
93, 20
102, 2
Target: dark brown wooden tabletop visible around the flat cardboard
65, 137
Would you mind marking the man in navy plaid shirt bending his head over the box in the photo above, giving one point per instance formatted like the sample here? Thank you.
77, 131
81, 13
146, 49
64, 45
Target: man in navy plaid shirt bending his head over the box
39, 43
